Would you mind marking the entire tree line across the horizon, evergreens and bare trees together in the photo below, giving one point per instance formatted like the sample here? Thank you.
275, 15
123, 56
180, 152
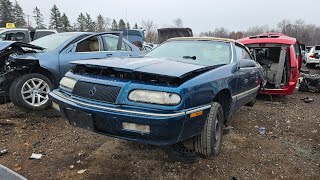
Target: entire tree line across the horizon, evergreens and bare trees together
308, 34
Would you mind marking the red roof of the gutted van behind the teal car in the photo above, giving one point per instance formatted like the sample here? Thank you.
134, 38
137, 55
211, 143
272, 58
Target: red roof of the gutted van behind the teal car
277, 38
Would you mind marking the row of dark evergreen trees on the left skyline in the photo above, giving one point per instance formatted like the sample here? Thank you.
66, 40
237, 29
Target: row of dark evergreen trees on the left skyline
13, 13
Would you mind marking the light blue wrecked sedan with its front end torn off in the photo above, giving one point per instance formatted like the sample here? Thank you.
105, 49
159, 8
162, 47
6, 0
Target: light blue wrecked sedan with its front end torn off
28, 72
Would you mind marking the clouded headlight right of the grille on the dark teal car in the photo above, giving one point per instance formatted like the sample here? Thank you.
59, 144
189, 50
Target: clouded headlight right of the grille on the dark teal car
154, 97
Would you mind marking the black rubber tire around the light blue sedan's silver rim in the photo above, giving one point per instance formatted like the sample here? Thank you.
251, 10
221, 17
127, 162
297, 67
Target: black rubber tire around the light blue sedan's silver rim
16, 95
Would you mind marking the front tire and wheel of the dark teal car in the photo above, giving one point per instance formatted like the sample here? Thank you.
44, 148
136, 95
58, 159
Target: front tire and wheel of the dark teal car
209, 142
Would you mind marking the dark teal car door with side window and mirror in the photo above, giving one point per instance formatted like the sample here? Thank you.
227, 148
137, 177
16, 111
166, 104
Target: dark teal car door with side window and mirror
247, 78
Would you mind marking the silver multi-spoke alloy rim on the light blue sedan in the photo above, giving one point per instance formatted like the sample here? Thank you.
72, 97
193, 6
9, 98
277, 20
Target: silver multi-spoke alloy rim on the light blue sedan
35, 92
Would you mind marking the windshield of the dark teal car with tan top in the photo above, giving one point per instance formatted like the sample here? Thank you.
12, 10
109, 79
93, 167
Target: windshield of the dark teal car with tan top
205, 53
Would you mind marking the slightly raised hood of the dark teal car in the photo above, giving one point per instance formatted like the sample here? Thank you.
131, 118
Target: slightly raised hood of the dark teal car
158, 66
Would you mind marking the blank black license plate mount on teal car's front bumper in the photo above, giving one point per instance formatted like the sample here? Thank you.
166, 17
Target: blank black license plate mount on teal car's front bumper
80, 119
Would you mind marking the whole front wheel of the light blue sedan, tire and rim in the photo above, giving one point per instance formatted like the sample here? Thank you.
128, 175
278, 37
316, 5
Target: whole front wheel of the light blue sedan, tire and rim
31, 91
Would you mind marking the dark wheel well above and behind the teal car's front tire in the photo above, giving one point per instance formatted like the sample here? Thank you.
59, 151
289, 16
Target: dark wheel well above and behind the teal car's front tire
224, 99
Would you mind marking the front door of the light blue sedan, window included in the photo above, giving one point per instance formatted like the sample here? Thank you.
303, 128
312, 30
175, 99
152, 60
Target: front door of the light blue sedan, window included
92, 47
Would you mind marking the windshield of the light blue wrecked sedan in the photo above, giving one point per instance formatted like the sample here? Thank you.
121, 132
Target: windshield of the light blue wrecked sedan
53, 41
